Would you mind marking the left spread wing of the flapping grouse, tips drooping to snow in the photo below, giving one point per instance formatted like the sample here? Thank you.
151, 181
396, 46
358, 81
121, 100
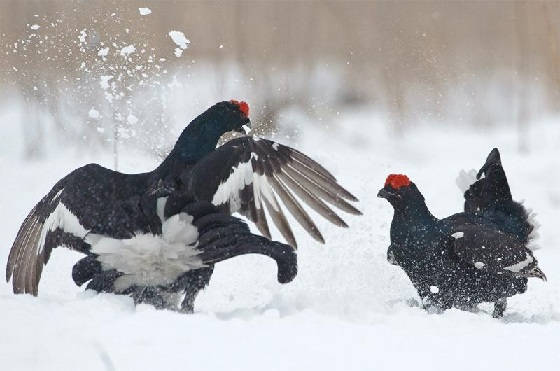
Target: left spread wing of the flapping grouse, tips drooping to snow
87, 200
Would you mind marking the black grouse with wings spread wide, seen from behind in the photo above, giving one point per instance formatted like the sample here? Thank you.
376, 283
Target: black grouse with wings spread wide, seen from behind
156, 236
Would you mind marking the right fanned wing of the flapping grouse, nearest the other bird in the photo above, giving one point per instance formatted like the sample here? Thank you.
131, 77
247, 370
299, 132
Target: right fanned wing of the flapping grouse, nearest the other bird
247, 174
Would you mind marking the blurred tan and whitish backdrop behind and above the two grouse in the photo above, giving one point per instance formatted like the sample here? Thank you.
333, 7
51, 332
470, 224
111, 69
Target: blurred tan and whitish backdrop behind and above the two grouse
100, 73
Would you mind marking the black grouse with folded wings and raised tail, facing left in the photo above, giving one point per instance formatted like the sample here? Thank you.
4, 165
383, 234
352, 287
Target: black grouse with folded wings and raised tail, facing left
479, 255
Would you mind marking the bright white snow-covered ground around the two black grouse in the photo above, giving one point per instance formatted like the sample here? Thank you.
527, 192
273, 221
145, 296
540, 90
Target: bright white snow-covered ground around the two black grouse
348, 309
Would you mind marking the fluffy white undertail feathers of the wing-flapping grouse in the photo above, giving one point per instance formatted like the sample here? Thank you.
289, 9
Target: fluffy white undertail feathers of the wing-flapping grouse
147, 259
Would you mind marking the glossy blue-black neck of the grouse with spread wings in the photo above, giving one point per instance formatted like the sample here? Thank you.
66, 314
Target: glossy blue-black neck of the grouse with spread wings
198, 139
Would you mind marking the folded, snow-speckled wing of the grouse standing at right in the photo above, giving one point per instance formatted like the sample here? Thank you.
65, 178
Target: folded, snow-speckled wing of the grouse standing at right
489, 249
